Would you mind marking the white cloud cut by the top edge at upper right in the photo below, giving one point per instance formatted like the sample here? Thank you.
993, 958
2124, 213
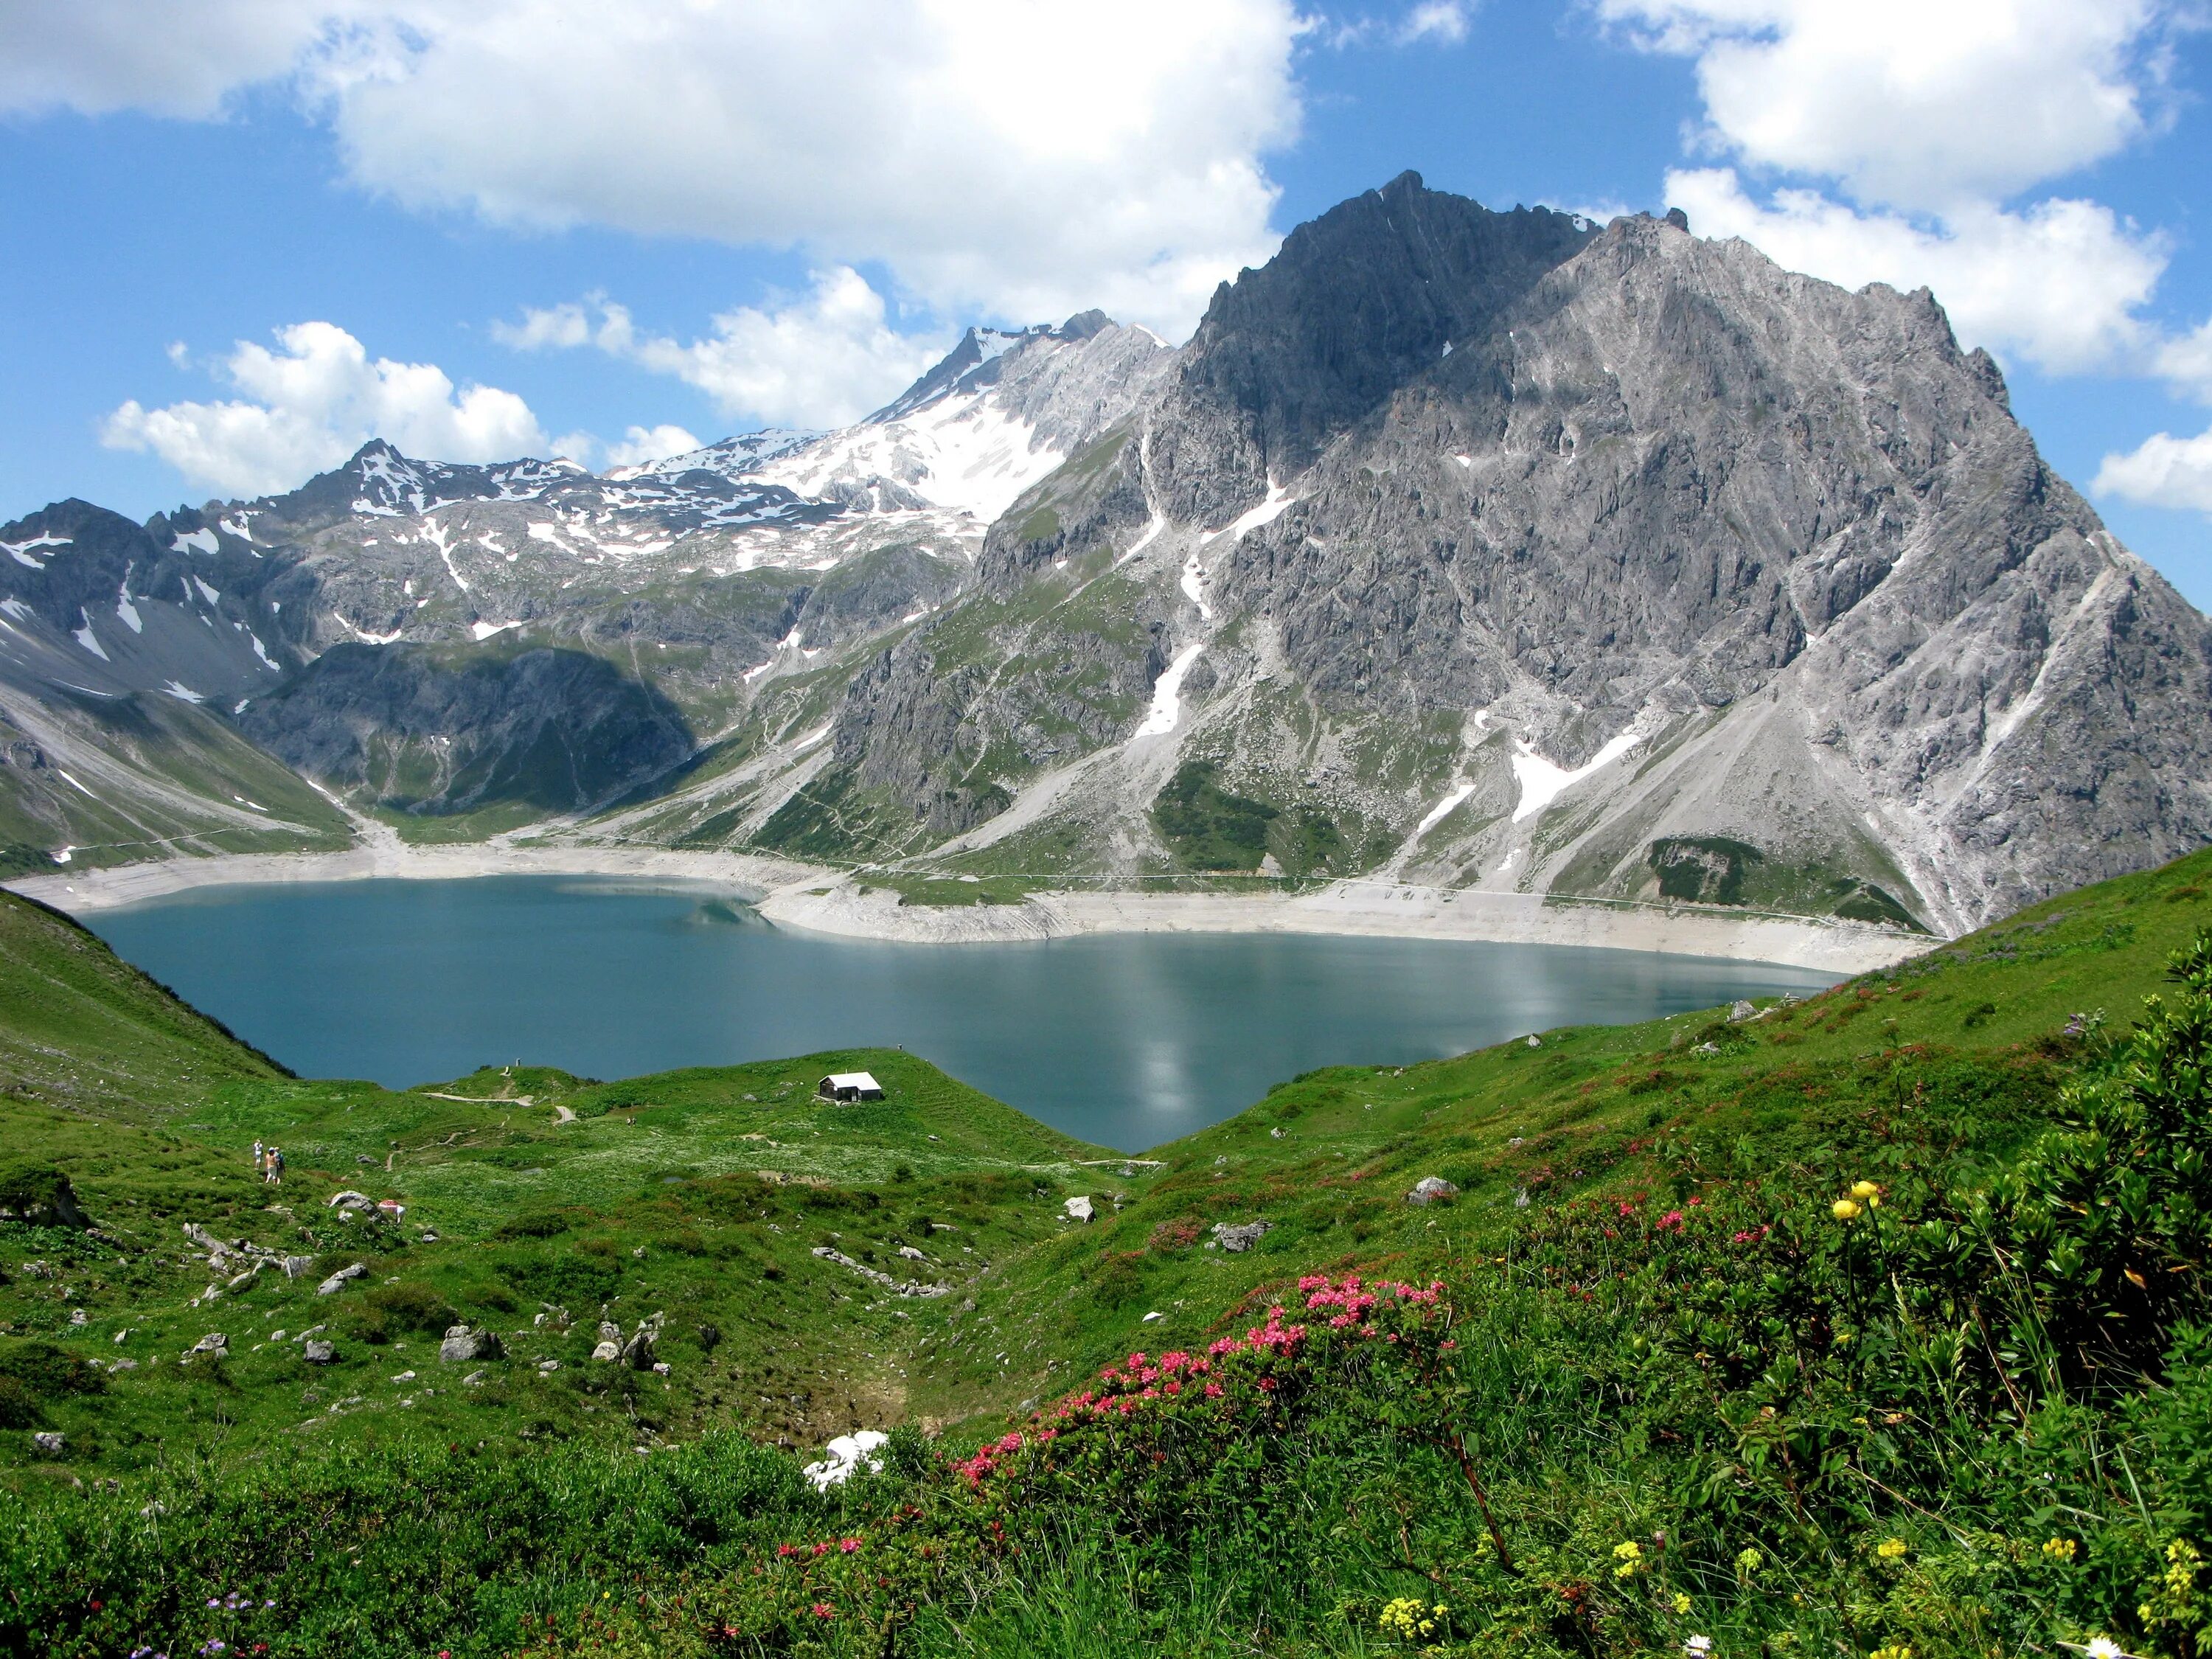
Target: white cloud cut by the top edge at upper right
1908, 103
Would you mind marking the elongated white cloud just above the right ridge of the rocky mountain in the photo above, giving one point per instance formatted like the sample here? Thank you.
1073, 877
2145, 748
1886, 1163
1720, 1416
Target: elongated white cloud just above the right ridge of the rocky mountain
2056, 284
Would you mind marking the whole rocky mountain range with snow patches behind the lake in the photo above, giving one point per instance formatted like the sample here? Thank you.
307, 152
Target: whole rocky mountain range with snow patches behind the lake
1459, 547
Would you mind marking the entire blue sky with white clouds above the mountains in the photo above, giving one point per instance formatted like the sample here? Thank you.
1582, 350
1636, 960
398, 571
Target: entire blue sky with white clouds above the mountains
247, 236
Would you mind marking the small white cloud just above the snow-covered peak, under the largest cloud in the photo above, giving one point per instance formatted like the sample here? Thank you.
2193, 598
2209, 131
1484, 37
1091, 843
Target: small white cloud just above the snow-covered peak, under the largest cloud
822, 359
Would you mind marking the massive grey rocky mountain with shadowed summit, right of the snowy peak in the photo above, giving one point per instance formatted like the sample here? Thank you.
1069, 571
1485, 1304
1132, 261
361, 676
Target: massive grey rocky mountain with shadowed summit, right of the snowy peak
1452, 505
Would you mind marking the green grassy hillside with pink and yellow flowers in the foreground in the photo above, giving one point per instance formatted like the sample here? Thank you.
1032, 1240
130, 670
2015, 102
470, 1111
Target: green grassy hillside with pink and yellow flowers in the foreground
1665, 1388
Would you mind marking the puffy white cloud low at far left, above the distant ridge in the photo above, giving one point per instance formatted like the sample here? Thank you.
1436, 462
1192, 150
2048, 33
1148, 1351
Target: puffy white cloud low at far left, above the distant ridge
311, 404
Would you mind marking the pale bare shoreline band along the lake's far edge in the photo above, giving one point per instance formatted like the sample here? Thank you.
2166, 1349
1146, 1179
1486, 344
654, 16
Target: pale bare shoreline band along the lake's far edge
824, 901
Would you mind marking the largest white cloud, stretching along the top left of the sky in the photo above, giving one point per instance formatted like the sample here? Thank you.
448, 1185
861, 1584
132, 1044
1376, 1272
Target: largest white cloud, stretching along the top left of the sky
1014, 158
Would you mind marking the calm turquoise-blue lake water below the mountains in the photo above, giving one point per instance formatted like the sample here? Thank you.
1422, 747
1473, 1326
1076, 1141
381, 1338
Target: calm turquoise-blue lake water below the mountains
1127, 1041
